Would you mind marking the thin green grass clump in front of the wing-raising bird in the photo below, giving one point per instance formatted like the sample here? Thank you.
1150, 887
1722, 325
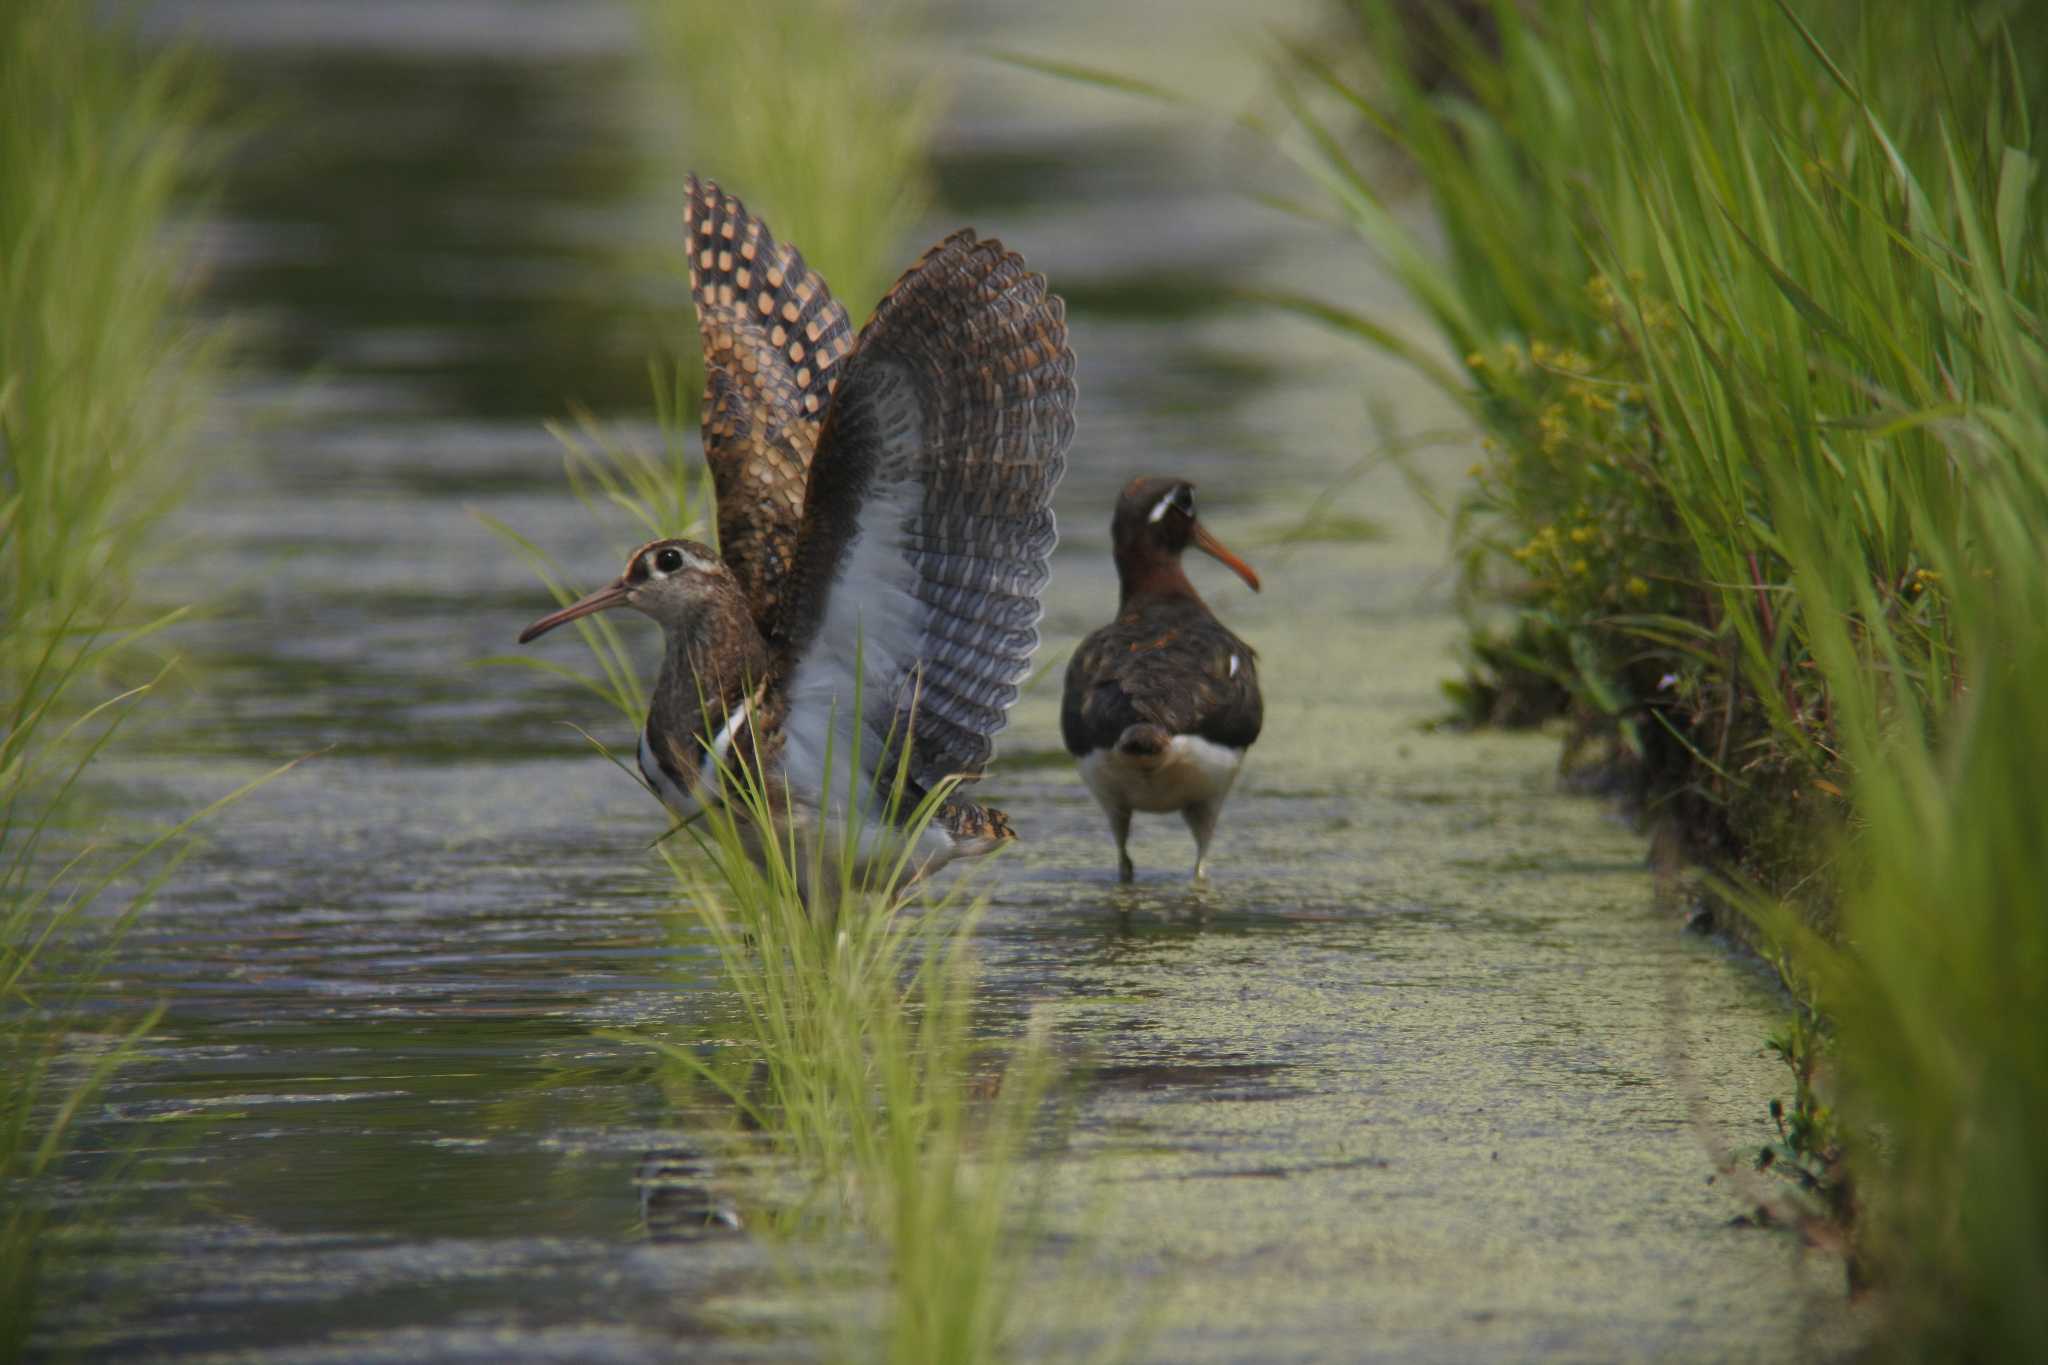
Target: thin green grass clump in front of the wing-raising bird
859, 1071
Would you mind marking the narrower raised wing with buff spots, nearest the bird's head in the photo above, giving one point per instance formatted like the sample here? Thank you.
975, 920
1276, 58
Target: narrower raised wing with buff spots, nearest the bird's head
773, 343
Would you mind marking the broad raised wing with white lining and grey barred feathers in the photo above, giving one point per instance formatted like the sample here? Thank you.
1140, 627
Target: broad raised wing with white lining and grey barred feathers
929, 521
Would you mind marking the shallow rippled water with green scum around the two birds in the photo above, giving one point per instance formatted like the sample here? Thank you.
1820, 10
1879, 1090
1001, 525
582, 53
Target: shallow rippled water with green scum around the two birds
1424, 1075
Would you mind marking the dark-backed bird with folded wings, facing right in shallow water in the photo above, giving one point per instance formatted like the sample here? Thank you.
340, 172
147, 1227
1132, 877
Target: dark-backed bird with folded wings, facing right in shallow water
1164, 701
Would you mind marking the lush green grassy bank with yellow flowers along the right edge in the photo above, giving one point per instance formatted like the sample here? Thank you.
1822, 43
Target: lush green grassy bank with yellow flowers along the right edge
1748, 302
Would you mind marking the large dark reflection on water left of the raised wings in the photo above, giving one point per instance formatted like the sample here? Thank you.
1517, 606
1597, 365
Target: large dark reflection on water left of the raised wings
450, 224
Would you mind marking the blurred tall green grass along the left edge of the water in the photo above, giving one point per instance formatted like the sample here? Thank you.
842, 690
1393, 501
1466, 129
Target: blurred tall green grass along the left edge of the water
101, 380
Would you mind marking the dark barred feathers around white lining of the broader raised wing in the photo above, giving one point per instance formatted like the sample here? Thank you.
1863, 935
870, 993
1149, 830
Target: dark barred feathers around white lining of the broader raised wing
966, 361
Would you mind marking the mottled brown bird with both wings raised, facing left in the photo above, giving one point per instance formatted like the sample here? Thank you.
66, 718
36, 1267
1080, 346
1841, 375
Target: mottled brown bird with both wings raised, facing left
886, 529
